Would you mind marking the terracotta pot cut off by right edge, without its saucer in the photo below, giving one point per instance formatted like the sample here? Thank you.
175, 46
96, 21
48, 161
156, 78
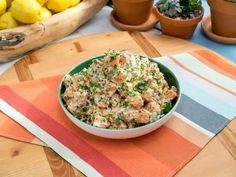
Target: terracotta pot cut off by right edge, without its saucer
223, 17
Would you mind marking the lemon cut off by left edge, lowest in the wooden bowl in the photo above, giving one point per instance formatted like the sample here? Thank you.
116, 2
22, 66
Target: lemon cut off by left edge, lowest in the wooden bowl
7, 21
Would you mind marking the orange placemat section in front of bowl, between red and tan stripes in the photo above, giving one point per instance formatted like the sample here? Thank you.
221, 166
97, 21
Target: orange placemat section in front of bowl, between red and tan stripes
160, 153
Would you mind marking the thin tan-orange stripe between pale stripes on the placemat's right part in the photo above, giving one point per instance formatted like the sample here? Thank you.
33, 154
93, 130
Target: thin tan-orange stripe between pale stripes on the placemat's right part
213, 83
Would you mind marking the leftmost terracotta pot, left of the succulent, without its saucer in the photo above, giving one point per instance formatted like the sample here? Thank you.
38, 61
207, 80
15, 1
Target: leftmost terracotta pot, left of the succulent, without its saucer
133, 12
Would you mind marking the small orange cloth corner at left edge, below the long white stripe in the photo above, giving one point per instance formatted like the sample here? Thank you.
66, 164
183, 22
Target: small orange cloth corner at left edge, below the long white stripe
10, 129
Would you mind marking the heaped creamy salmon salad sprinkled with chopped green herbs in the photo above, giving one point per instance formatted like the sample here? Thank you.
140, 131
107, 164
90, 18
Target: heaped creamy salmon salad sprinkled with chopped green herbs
121, 91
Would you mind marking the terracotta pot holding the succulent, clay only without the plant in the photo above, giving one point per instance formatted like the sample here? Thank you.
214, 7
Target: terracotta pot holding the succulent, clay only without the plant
178, 27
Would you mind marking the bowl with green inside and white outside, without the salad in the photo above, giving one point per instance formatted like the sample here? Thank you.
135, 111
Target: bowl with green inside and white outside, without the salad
121, 133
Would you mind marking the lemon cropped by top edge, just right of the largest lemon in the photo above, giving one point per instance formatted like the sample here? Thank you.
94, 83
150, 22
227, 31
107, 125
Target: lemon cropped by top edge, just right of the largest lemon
58, 5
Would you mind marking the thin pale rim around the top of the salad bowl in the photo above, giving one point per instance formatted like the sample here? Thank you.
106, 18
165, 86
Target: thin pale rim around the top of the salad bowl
118, 130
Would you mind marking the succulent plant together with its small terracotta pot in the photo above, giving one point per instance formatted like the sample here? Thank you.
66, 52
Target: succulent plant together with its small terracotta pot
179, 18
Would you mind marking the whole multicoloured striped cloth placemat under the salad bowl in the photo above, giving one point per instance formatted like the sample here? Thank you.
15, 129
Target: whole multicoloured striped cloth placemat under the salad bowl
207, 105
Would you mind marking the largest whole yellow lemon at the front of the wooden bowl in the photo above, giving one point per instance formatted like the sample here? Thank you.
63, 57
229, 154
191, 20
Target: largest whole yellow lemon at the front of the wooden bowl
26, 11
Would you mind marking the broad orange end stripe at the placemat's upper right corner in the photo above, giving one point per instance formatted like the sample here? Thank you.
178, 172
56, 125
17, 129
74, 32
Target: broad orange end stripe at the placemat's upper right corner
216, 62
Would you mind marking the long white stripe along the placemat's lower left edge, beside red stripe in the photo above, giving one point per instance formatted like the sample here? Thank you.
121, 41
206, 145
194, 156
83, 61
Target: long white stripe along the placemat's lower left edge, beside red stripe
59, 148
